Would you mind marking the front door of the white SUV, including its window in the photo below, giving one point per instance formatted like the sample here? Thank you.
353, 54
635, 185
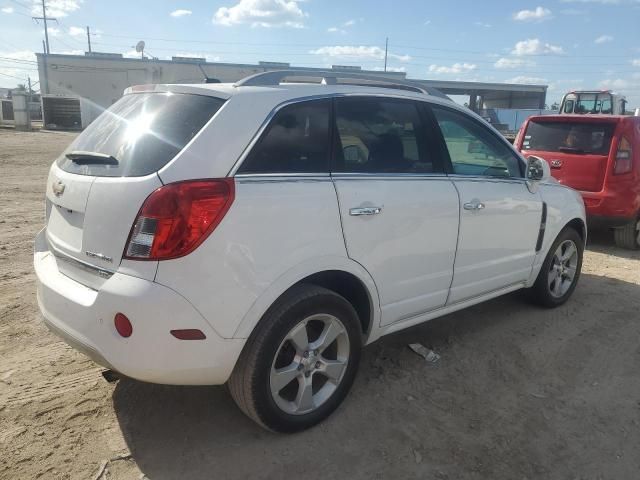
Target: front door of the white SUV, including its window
499, 217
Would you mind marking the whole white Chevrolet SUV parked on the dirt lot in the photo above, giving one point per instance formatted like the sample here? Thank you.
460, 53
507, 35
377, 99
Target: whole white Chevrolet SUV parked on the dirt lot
259, 234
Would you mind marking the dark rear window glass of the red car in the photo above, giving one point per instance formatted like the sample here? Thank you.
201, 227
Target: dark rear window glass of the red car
567, 137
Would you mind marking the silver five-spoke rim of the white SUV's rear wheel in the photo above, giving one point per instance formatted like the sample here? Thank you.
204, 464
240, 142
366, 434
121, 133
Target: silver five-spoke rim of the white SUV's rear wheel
309, 364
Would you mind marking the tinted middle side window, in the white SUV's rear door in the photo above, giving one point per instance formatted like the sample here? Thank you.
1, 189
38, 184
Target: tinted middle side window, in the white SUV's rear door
378, 135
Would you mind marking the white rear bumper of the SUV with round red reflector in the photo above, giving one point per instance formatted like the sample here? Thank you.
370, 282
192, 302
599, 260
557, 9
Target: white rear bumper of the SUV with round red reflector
83, 317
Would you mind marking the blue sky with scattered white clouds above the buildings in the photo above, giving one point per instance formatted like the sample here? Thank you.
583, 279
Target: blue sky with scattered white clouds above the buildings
566, 44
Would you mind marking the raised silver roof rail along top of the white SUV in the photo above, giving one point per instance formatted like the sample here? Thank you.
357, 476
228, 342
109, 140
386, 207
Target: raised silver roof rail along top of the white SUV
328, 77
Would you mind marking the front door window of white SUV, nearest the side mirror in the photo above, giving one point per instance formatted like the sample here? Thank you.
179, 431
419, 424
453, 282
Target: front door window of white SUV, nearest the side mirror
473, 149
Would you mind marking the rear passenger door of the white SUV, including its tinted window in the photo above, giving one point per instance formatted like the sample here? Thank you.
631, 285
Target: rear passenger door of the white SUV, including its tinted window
399, 210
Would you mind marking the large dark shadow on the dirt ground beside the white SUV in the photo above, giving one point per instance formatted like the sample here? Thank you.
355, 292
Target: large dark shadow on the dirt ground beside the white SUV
506, 368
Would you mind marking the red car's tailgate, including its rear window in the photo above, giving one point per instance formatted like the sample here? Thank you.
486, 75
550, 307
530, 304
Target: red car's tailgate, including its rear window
577, 149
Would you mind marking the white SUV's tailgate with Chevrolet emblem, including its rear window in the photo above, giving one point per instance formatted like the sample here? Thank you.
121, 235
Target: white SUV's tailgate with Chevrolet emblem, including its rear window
99, 183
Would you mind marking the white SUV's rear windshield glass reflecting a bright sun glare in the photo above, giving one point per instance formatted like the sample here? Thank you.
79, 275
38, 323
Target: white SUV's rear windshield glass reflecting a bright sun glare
141, 132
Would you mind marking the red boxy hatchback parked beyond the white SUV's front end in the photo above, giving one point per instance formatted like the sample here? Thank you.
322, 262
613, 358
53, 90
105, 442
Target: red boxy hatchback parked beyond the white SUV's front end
599, 155
